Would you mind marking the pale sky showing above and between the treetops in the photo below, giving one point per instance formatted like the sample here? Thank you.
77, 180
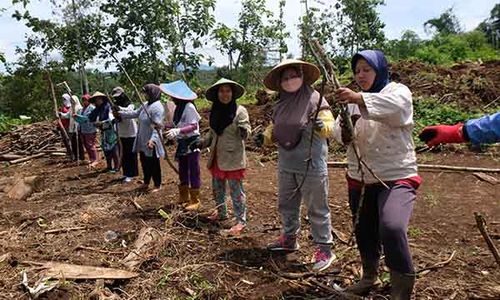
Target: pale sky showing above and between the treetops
398, 16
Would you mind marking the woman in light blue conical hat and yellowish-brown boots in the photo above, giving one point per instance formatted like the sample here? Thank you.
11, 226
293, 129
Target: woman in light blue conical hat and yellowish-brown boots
187, 131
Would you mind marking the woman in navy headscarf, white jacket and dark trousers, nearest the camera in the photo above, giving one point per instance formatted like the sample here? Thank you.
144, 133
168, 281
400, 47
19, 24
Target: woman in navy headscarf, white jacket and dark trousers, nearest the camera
383, 123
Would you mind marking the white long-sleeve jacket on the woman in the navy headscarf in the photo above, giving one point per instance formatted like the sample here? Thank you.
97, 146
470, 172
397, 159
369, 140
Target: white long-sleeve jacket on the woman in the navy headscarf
383, 135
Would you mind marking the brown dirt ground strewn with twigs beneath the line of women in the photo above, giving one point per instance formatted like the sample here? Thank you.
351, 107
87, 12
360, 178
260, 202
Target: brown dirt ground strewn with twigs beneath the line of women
193, 260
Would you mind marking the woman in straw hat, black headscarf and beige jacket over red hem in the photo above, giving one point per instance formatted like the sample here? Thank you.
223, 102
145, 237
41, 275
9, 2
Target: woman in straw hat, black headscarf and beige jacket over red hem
229, 128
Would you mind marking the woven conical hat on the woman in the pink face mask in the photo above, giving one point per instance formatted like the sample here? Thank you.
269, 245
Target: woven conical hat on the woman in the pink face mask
311, 73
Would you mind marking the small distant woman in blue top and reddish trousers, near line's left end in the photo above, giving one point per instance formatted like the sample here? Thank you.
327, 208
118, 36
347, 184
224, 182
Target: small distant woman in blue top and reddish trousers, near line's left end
87, 130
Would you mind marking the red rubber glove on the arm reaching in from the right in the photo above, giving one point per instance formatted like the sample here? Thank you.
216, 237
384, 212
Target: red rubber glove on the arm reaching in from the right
442, 134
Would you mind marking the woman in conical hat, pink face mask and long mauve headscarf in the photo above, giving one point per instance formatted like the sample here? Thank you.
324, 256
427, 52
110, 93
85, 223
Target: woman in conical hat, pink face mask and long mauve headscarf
293, 123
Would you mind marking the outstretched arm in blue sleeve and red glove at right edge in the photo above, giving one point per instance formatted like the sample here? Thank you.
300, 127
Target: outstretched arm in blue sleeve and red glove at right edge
484, 130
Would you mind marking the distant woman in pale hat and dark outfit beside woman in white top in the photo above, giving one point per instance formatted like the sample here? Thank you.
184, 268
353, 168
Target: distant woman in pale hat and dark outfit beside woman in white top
103, 119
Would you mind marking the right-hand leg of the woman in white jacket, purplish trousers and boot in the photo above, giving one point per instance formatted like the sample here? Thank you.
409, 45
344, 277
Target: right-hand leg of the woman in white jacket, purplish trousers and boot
395, 209
